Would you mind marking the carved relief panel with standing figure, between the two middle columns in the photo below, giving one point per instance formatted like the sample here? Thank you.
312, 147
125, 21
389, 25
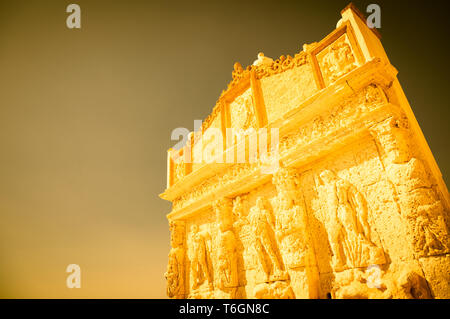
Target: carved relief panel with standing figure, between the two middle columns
262, 267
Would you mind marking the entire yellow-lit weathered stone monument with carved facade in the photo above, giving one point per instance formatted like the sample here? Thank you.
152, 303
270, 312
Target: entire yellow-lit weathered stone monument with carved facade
353, 204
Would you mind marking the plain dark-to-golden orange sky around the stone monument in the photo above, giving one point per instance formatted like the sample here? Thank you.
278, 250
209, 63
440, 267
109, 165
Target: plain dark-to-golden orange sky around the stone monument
86, 117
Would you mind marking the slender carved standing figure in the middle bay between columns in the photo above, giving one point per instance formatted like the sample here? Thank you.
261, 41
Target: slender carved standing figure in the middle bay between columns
262, 223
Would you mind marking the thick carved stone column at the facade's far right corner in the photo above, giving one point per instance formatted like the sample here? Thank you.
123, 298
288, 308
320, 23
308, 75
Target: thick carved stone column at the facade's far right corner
418, 200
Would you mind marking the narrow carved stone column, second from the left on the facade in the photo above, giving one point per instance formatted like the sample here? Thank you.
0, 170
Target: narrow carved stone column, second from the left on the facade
227, 271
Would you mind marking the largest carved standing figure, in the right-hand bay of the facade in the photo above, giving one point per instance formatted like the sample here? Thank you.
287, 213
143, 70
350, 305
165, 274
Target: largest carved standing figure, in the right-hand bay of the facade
349, 231
